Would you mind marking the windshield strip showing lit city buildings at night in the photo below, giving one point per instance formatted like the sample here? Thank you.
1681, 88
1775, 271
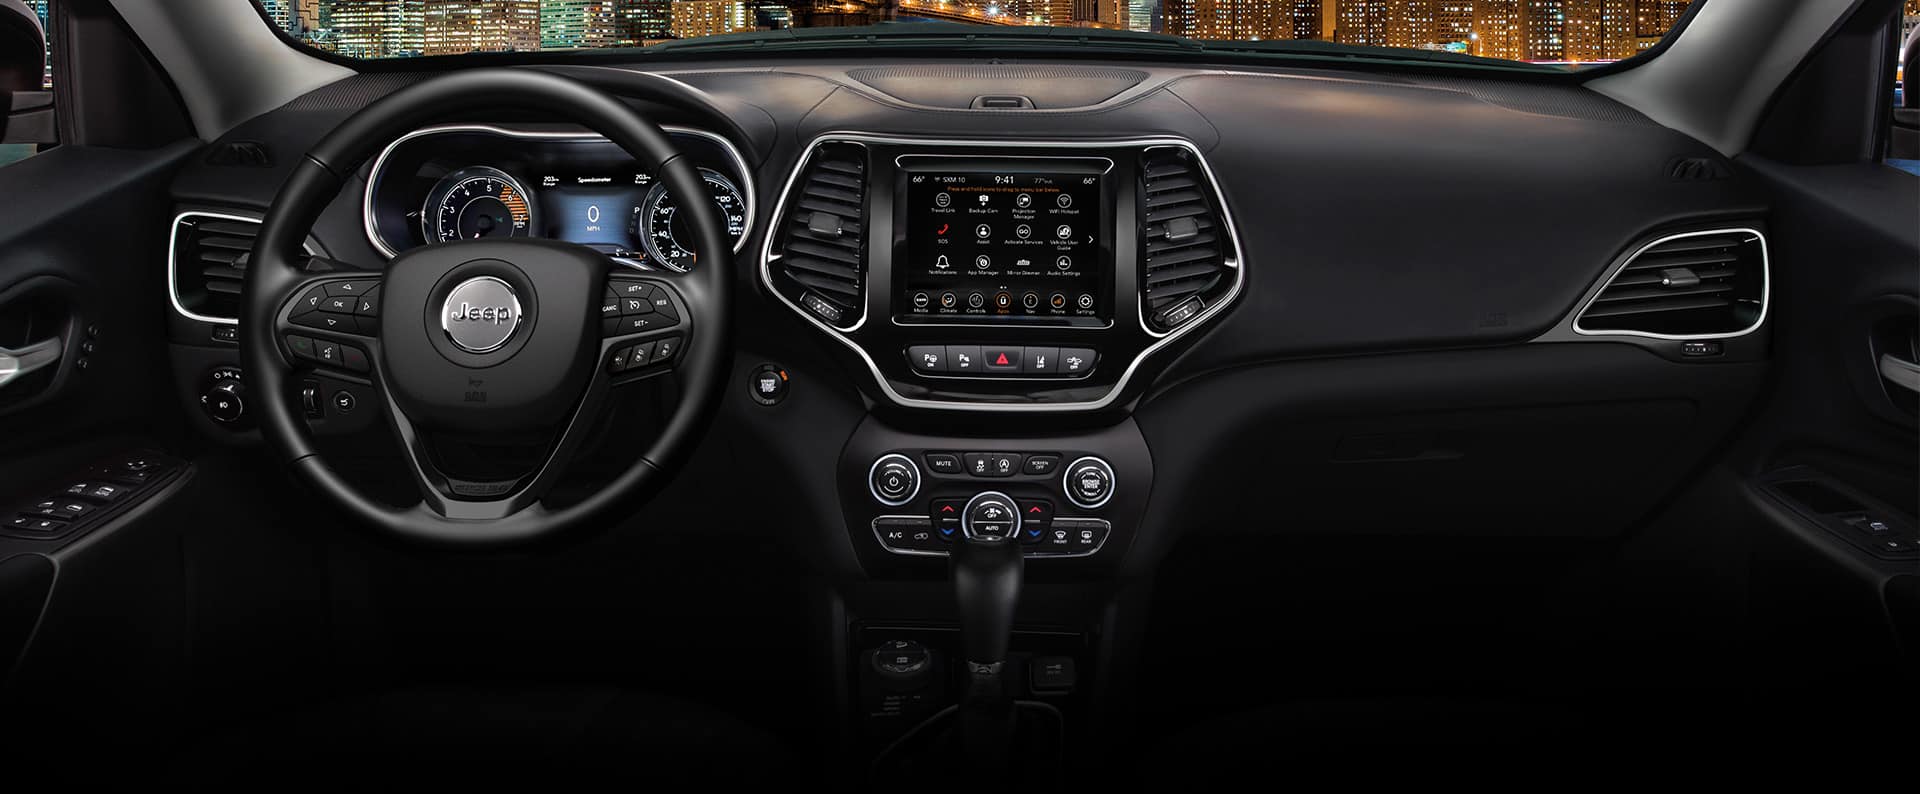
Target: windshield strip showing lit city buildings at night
1560, 34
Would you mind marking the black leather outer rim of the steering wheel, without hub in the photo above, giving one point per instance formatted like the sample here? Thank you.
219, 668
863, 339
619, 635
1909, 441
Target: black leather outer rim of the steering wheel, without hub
277, 266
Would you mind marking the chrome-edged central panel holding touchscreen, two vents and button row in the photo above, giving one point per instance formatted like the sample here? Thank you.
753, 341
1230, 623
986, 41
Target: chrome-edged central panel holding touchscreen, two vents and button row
1003, 277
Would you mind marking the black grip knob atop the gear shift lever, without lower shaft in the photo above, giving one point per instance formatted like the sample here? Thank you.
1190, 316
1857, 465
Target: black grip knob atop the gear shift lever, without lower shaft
988, 571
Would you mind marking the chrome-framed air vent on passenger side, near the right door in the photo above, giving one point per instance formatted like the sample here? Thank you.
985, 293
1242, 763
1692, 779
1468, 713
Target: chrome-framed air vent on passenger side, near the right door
1696, 285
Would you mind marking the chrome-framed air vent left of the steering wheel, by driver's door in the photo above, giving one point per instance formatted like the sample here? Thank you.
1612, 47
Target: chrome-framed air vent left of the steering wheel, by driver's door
208, 264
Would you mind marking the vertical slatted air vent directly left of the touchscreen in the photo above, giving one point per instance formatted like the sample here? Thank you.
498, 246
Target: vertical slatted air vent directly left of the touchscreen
823, 243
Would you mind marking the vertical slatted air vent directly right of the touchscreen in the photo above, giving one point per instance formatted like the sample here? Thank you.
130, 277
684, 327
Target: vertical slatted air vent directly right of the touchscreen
1184, 241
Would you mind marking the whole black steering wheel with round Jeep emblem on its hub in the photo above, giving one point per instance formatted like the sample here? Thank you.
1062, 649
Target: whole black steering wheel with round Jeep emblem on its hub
489, 339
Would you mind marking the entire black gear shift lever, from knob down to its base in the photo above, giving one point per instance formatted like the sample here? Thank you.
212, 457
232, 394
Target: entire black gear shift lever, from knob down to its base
988, 571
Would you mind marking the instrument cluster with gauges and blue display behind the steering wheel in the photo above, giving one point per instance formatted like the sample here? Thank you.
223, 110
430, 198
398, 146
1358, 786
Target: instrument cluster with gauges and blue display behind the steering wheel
487, 181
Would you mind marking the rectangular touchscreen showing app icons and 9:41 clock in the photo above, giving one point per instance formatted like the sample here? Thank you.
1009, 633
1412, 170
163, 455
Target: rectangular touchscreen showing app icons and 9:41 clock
1003, 246
